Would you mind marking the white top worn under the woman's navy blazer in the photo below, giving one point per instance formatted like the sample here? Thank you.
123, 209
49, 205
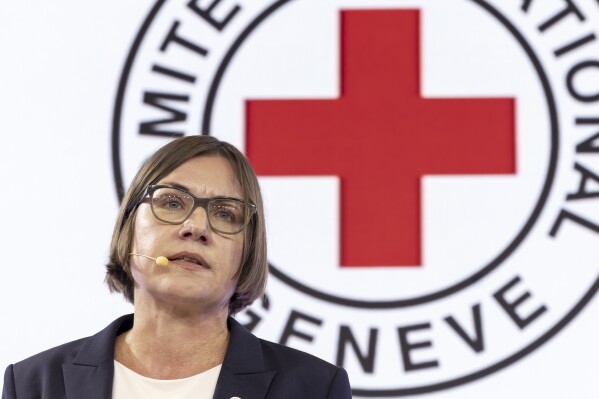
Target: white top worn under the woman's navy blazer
127, 384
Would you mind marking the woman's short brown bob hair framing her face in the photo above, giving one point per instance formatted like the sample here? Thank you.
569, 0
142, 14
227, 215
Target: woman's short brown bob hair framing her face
253, 271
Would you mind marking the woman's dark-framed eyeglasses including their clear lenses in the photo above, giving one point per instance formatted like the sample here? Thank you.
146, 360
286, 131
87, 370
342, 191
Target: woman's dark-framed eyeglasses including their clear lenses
174, 205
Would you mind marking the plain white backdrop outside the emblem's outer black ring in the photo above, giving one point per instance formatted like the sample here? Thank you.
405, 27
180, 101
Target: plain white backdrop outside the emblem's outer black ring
60, 66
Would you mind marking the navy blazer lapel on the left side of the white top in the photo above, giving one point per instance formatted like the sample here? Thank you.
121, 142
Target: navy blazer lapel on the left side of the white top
91, 373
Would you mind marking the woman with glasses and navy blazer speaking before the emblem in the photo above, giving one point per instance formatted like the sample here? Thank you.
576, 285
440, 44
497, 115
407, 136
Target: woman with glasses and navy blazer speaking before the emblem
186, 270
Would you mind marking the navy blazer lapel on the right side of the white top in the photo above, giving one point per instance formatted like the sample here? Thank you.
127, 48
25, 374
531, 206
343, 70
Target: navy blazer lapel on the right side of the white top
243, 373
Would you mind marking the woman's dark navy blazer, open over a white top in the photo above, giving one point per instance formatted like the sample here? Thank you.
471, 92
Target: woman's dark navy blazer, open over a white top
252, 369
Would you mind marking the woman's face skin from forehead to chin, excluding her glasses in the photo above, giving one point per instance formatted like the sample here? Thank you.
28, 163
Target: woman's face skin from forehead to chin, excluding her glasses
202, 263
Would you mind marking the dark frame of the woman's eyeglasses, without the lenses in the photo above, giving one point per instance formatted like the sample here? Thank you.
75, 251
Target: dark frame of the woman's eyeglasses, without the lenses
197, 202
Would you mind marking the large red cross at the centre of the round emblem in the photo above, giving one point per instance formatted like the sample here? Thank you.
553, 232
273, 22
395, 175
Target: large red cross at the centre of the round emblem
380, 137
